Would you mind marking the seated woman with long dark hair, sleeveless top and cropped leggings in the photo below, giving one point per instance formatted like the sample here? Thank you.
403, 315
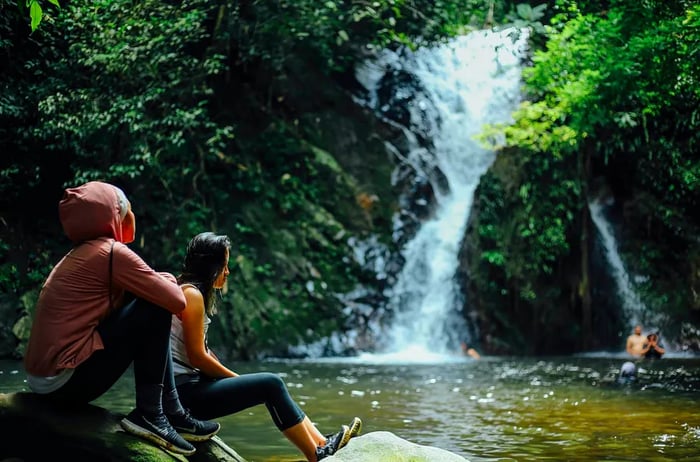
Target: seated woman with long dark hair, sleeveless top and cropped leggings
208, 387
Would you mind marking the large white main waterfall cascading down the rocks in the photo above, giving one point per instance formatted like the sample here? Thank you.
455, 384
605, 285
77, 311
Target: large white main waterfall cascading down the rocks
471, 81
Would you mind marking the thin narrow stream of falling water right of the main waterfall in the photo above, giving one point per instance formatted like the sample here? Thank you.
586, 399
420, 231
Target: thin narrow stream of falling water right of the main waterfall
633, 308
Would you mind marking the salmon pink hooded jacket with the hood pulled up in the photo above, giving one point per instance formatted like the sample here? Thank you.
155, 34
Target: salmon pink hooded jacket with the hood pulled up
75, 297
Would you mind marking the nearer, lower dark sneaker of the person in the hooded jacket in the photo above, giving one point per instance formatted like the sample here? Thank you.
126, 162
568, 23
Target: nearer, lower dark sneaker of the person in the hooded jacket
157, 429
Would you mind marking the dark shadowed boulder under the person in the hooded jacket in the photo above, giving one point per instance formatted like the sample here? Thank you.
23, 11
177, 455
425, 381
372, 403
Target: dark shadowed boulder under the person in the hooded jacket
33, 429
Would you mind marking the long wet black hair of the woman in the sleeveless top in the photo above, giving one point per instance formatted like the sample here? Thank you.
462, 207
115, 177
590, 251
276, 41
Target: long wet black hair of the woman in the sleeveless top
204, 262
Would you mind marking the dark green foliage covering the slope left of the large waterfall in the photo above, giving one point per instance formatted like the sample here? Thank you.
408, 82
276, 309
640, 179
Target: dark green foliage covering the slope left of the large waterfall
177, 103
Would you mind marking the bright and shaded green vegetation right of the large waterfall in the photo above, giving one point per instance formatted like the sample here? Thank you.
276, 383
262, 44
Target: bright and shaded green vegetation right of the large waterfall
612, 110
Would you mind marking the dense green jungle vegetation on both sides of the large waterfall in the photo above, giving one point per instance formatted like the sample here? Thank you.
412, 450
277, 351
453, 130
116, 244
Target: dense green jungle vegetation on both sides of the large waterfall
234, 116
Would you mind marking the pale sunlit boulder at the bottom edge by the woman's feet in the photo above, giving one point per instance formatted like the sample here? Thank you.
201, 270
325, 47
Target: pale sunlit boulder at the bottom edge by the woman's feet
383, 446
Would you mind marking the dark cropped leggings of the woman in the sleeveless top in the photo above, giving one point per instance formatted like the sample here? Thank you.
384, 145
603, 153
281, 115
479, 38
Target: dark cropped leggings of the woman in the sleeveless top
210, 399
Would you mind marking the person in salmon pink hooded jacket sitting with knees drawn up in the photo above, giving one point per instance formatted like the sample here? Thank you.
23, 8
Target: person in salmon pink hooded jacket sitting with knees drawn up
103, 308
